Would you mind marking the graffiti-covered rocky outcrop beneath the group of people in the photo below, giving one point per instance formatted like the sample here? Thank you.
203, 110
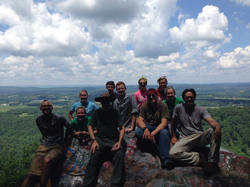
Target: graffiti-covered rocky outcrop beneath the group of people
144, 169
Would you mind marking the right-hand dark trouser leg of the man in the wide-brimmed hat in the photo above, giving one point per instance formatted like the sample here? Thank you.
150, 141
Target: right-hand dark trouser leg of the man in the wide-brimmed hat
119, 174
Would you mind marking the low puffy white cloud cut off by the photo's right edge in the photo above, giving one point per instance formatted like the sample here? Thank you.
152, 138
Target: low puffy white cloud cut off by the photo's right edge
239, 58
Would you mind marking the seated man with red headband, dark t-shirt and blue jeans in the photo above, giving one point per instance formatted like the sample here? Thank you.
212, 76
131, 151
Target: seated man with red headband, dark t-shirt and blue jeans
153, 126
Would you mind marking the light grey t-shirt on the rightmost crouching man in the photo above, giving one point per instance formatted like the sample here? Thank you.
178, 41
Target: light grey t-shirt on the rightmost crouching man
190, 123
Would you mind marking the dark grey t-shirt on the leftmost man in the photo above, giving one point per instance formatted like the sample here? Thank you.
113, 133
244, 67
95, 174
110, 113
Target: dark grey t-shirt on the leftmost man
51, 129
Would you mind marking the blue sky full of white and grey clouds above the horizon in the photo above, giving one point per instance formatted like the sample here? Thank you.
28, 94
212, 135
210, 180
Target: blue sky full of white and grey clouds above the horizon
90, 42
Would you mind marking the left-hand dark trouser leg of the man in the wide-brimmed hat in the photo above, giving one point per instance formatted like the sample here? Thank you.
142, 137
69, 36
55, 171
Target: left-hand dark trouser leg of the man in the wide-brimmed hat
93, 168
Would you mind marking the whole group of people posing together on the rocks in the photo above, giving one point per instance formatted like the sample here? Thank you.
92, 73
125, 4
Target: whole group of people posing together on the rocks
159, 119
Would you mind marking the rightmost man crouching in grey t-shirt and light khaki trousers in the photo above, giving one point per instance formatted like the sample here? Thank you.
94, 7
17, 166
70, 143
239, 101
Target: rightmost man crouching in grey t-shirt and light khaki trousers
189, 116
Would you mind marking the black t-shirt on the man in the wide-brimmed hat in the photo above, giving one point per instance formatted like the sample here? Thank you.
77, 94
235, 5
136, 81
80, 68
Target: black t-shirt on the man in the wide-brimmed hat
107, 124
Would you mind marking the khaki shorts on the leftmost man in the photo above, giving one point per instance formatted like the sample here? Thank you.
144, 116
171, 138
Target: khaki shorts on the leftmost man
54, 152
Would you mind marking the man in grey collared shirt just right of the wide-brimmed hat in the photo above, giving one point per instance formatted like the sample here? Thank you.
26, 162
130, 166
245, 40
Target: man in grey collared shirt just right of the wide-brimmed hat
127, 107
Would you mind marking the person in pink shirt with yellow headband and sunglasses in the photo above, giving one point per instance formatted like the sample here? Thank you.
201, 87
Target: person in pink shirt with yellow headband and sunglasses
141, 94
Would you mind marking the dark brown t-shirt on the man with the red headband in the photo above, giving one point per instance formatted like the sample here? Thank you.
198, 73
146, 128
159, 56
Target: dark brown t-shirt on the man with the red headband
153, 116
